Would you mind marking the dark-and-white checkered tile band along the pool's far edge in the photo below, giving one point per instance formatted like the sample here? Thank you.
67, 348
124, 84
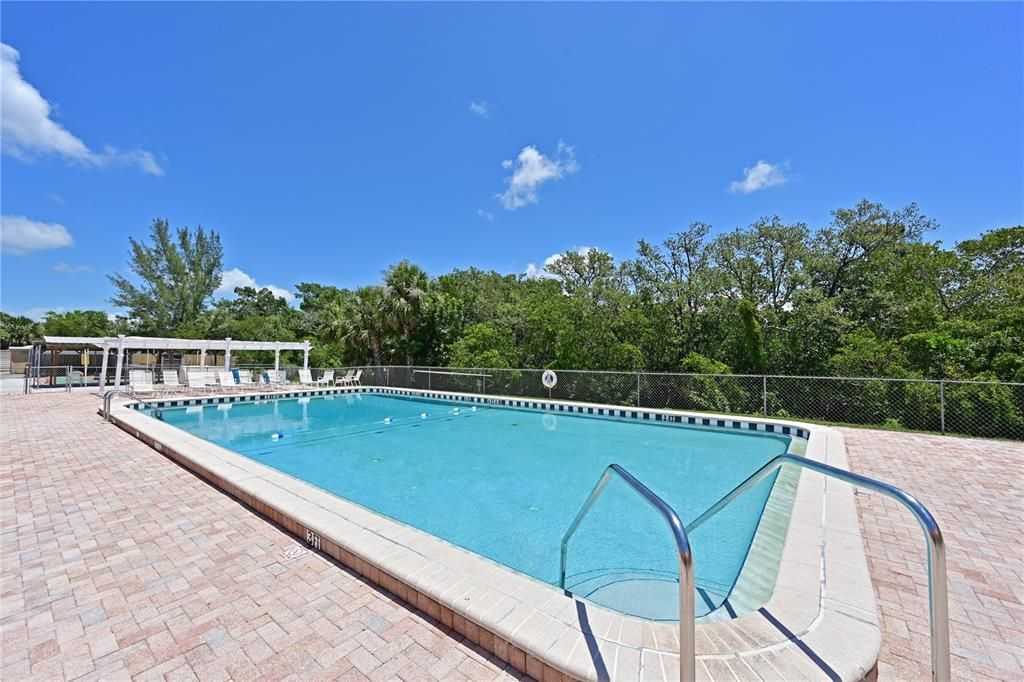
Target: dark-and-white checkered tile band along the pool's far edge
523, 404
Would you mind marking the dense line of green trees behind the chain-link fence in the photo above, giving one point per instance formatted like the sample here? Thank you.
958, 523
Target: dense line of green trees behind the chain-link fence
869, 294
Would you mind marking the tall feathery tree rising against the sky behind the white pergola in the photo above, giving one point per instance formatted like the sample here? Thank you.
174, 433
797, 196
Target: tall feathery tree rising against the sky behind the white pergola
177, 276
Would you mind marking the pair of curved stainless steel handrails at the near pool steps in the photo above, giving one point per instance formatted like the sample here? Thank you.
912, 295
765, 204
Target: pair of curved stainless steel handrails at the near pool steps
937, 584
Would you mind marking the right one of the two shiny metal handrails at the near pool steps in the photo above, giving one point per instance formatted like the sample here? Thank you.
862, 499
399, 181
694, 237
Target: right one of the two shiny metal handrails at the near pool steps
937, 588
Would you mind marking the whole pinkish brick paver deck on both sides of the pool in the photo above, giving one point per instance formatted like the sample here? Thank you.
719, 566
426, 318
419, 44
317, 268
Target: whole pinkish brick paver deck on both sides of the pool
118, 564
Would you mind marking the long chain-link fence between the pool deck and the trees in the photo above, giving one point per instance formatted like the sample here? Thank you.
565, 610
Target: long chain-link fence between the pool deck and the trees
967, 408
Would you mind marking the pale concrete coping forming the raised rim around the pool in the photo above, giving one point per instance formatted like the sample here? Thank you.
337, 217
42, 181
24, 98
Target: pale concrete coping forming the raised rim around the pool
821, 622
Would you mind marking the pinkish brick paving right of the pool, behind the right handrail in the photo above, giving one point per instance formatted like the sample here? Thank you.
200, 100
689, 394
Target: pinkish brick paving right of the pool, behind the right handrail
975, 490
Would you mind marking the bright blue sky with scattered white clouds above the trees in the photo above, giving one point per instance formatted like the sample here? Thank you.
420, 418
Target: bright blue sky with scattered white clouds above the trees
325, 142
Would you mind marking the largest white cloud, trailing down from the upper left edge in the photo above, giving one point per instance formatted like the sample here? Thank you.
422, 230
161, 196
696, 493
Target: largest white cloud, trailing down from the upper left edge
28, 132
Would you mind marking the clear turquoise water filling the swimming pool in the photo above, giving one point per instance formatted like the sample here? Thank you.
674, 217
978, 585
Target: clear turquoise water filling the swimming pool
506, 484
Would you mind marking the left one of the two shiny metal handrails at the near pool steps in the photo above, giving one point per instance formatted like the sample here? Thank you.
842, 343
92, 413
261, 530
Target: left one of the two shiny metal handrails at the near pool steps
688, 651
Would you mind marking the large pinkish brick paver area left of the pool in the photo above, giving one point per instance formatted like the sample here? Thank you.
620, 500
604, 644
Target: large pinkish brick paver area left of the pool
116, 563
